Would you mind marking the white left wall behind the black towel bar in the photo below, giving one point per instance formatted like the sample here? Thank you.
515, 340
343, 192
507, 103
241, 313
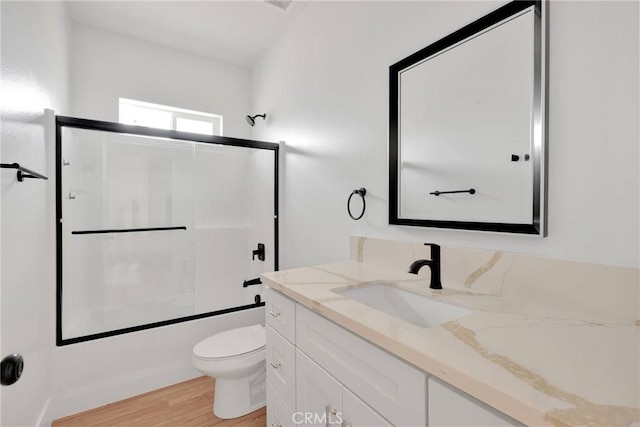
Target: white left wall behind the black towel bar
34, 77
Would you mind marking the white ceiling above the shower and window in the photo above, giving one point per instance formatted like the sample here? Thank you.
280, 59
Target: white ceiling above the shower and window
238, 32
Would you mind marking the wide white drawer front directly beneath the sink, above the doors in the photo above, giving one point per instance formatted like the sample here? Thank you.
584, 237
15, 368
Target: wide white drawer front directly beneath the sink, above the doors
397, 391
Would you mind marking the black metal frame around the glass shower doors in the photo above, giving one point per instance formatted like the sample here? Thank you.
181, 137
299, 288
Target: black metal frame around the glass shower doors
96, 125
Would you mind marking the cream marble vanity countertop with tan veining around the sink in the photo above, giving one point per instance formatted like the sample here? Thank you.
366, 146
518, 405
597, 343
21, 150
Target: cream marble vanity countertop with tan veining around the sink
542, 363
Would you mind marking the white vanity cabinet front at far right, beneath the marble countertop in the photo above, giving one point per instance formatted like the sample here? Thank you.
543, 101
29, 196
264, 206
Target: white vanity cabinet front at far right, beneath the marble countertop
451, 407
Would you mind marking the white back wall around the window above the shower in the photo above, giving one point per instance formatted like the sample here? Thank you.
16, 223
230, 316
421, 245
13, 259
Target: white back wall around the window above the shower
106, 66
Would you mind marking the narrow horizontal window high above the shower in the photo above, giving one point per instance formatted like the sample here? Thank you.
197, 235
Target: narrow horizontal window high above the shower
164, 117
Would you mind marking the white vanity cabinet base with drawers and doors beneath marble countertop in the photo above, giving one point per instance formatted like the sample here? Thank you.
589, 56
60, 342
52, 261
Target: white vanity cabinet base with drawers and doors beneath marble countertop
318, 371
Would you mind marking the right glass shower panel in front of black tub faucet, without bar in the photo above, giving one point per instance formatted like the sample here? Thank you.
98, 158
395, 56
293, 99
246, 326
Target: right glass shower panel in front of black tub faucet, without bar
234, 205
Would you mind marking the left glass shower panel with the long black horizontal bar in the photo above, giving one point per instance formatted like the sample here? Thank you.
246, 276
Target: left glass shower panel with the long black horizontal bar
127, 205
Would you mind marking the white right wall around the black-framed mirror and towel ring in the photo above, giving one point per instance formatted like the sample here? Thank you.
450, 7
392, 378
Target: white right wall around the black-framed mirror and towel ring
324, 86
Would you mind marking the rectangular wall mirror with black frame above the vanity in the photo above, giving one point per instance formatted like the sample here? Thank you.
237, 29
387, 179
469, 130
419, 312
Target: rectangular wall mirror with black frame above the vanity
466, 129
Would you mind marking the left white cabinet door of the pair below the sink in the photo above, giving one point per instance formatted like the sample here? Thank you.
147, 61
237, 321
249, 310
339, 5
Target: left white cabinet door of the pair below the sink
318, 394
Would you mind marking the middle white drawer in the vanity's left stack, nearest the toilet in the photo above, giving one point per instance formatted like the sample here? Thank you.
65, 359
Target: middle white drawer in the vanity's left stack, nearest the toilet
281, 366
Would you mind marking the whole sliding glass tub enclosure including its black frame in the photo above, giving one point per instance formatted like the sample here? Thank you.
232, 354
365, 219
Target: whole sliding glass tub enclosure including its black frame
157, 227
